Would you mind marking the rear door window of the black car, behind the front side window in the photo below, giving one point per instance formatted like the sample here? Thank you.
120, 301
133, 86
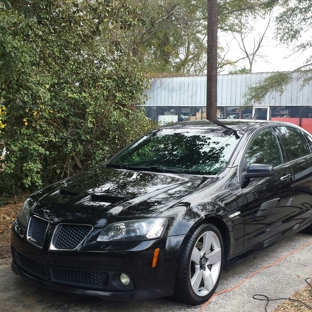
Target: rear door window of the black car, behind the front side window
295, 143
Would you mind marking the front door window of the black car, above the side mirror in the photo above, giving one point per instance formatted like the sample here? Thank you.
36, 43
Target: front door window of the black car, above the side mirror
264, 149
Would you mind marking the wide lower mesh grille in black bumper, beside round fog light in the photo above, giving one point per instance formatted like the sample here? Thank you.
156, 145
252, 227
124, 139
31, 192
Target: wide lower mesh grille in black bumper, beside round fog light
88, 279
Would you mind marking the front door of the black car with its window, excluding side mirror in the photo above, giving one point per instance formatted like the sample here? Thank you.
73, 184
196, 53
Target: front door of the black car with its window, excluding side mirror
268, 200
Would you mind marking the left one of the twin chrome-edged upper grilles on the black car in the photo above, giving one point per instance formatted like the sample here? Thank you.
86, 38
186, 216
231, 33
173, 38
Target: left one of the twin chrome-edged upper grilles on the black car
37, 229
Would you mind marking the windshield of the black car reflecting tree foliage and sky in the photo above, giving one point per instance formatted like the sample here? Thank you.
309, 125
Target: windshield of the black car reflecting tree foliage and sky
199, 151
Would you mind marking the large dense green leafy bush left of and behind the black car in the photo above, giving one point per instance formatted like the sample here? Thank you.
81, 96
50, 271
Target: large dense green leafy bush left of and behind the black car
70, 98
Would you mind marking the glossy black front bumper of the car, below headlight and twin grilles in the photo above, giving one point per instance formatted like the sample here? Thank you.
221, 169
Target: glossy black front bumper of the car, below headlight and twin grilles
98, 273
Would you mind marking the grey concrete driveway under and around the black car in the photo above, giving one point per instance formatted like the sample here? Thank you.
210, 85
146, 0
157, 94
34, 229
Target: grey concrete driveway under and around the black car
281, 280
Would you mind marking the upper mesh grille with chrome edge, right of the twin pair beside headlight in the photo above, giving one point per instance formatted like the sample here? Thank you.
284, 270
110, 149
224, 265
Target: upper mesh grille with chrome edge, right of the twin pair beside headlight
69, 236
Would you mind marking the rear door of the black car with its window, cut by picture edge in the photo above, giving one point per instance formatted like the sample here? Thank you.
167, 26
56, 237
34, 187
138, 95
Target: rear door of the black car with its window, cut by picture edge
298, 146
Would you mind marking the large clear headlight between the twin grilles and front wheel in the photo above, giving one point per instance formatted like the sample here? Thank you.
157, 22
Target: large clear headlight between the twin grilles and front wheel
133, 230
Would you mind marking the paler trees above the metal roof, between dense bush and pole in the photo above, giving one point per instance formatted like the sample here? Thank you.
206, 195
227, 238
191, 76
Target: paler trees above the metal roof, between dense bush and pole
170, 36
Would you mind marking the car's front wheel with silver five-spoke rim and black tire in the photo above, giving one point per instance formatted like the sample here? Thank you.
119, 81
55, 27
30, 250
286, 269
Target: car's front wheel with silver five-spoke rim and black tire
200, 265
